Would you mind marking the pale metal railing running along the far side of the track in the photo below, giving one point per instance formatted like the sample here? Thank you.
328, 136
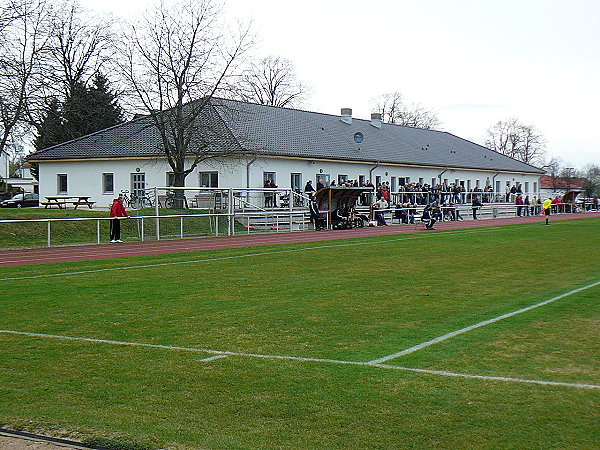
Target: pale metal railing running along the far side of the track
64, 231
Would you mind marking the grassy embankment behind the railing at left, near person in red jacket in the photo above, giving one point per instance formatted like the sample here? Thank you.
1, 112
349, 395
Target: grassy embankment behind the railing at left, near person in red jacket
34, 234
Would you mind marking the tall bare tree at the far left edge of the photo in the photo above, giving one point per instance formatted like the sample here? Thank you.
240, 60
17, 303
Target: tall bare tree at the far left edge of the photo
23, 49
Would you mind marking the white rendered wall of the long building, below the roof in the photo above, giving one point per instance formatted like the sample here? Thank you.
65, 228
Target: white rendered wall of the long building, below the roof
85, 177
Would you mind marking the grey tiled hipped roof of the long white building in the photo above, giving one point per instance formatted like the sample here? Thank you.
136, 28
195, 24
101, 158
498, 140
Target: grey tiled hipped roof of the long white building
288, 132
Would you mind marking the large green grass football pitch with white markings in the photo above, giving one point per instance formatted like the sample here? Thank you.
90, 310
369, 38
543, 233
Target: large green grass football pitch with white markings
338, 305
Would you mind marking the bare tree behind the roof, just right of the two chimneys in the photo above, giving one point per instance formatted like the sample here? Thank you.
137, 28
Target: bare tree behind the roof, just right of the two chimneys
394, 110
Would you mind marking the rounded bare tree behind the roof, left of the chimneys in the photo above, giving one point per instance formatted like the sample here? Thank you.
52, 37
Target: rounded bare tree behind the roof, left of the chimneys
272, 81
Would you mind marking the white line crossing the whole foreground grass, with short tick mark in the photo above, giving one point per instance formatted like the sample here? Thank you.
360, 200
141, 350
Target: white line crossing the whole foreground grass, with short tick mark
303, 359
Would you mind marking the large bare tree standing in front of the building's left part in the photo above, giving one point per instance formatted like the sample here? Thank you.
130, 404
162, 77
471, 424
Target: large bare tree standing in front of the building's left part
174, 62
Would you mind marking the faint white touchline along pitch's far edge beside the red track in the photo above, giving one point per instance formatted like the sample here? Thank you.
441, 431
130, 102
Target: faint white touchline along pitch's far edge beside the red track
247, 255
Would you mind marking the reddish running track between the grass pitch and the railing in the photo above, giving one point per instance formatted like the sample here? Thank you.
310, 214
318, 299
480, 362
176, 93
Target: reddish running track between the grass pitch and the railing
104, 251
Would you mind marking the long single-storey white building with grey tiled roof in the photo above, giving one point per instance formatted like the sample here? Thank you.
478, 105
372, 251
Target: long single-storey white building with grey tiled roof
286, 145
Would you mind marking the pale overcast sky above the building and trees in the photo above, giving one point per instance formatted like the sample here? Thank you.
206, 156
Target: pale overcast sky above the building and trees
473, 62
